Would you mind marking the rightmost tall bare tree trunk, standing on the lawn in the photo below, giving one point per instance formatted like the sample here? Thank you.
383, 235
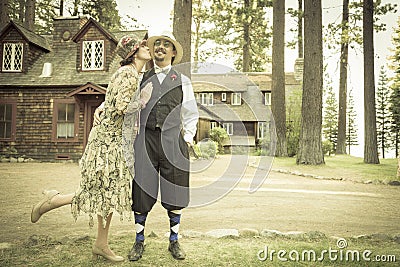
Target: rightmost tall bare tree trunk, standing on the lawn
370, 139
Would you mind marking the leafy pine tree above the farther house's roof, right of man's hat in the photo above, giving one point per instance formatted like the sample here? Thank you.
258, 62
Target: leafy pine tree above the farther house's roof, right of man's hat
240, 26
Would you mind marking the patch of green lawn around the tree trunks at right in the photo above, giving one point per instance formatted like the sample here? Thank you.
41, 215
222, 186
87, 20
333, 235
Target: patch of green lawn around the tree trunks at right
344, 167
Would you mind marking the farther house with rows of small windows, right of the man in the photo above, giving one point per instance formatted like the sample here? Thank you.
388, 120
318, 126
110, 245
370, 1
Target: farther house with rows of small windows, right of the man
238, 102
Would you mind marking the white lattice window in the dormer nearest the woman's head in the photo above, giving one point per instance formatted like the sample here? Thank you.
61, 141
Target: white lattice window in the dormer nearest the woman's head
93, 55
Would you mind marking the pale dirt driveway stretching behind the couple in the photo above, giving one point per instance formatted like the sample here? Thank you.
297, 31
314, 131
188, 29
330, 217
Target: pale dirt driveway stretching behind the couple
284, 203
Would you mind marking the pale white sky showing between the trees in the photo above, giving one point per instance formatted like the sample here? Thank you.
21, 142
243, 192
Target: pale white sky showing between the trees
156, 16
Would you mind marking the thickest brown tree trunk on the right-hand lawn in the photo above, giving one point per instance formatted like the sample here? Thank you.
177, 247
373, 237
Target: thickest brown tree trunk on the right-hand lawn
310, 143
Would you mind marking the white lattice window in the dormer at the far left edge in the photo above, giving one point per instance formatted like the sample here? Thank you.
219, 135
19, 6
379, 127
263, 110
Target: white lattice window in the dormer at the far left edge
12, 57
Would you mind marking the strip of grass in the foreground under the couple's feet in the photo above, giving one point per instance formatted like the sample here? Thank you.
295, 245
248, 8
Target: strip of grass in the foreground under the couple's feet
246, 251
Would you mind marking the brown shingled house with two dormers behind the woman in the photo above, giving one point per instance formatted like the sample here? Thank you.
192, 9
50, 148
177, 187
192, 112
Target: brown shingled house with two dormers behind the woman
51, 85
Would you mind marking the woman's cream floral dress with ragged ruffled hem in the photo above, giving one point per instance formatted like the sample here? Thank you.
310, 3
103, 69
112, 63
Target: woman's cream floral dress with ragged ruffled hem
106, 178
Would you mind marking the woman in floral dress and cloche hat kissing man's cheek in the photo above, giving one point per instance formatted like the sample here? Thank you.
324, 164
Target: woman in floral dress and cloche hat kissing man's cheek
105, 186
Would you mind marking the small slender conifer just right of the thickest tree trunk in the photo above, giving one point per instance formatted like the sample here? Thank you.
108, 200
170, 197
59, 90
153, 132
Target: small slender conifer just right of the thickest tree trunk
330, 123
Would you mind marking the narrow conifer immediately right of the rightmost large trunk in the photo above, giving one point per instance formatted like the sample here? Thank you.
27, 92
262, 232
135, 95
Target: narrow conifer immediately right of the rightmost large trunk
383, 116
